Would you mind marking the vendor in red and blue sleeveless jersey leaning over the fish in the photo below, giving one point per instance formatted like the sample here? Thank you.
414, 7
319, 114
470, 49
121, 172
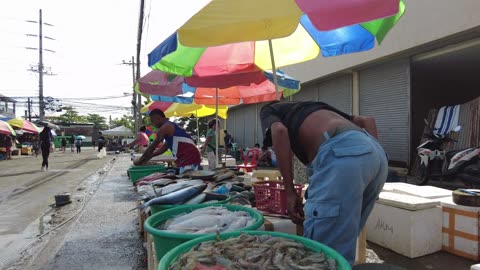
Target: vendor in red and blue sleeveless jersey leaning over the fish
177, 140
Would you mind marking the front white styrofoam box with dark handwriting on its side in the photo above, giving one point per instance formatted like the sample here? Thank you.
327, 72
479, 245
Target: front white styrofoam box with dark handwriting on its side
410, 233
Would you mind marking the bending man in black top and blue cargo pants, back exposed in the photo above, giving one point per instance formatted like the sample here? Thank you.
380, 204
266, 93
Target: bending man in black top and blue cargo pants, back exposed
347, 168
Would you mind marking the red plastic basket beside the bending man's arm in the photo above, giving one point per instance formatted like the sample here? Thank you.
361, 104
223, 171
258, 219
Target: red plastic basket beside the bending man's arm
270, 196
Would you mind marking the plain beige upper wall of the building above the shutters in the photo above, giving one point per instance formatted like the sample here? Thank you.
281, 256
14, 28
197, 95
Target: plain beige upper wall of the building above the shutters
424, 21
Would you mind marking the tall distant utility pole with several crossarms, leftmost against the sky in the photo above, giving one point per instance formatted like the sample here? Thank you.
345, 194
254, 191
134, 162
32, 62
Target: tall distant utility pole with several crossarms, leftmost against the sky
40, 67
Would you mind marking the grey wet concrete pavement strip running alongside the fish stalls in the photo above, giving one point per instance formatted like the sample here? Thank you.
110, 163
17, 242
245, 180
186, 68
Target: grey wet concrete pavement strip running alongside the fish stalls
105, 236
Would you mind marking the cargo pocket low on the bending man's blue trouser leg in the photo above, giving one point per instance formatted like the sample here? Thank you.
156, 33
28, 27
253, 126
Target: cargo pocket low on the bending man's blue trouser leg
318, 213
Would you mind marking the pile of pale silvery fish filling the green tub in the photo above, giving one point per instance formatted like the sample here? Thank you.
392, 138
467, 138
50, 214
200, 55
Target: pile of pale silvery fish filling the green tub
209, 220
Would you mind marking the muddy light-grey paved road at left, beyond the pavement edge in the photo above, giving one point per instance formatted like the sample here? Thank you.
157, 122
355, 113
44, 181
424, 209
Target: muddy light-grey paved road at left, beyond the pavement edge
26, 192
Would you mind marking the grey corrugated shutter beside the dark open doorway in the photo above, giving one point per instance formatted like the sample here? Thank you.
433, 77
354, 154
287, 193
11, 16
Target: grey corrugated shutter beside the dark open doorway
385, 94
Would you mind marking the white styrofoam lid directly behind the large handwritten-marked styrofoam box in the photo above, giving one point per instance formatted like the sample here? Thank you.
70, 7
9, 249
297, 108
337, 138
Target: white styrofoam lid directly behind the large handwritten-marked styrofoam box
427, 192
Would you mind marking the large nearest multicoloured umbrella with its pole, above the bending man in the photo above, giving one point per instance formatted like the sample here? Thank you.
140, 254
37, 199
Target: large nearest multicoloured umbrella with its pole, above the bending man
280, 37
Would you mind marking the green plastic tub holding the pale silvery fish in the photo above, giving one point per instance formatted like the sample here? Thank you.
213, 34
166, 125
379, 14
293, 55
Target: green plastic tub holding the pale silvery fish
166, 241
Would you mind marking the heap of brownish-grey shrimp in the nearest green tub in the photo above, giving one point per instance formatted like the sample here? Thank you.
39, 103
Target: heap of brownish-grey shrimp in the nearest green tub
253, 252
